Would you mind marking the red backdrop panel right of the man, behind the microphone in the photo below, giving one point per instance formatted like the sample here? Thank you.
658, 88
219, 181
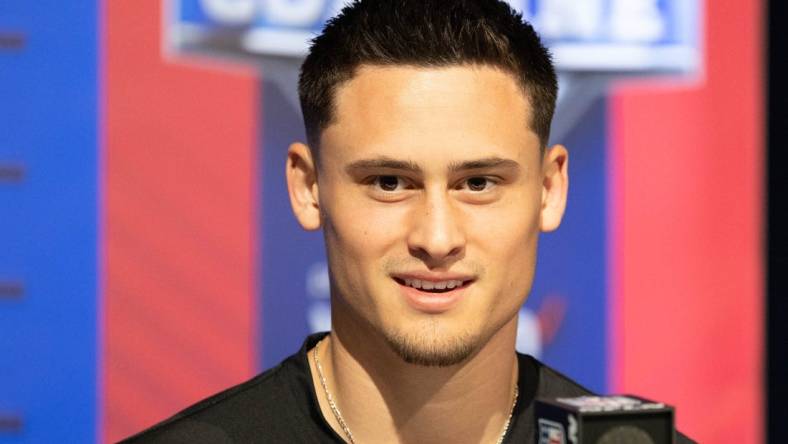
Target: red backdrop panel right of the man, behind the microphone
686, 225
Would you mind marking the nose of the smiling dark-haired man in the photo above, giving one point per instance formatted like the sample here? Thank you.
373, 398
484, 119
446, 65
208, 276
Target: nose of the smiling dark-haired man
436, 236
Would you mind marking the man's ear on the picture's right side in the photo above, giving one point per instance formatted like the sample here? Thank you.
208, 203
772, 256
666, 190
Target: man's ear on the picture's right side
555, 185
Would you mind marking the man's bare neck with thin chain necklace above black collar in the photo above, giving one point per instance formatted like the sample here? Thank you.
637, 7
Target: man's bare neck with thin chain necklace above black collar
384, 399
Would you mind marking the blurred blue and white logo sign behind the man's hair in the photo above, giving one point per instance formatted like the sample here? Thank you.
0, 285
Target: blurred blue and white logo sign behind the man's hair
607, 35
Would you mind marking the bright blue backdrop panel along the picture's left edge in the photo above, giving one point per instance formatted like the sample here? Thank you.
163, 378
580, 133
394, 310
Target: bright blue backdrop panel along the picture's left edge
48, 221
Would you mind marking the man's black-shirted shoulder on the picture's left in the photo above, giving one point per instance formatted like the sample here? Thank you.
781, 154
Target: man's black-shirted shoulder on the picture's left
243, 410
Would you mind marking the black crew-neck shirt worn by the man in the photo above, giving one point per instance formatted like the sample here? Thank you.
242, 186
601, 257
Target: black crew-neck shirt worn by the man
280, 405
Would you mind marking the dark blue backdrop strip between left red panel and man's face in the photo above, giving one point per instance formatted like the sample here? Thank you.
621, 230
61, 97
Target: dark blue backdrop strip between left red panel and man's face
288, 252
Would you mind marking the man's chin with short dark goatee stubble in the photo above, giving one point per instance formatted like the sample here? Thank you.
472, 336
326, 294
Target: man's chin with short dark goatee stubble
432, 345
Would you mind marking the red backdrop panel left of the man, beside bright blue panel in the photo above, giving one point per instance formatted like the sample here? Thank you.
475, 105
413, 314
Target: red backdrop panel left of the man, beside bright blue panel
180, 224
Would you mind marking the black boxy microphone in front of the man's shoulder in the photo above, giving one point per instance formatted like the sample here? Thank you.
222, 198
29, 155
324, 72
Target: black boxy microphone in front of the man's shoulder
623, 419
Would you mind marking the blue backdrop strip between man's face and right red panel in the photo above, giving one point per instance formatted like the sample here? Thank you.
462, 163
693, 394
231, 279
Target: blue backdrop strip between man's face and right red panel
572, 261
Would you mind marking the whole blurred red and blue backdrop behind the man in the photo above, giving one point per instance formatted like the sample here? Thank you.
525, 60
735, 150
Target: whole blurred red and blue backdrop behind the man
148, 256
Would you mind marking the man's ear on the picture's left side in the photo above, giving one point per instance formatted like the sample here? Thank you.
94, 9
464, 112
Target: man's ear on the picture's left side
302, 186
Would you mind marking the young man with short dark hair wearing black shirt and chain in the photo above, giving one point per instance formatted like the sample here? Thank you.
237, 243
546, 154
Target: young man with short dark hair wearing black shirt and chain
427, 170
